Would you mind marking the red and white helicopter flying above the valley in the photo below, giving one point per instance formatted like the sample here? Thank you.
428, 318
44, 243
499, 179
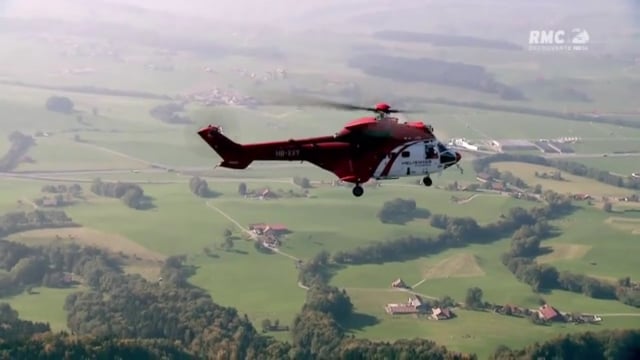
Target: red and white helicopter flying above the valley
379, 147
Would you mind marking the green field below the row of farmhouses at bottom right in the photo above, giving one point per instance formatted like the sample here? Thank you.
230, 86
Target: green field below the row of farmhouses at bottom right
470, 331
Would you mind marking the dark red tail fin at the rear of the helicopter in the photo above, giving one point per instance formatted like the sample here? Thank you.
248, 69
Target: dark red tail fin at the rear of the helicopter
233, 154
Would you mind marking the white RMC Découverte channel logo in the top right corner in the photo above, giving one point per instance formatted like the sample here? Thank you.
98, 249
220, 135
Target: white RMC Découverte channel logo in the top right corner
556, 40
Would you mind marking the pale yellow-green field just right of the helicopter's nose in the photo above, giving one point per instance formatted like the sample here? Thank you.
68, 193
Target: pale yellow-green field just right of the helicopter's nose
570, 185
